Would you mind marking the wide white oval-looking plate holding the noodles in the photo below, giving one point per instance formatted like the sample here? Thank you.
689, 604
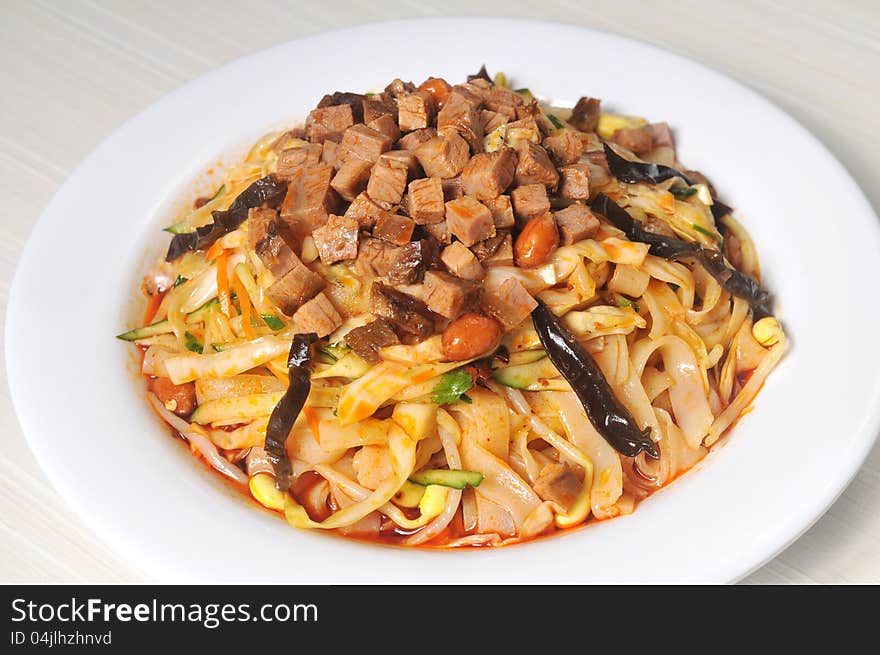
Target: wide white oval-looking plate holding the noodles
84, 413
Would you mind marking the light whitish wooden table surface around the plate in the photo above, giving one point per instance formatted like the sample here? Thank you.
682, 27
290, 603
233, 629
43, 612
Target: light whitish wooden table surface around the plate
72, 71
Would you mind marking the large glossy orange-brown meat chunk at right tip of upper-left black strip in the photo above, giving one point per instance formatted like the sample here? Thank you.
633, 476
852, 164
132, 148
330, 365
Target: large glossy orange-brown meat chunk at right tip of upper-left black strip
309, 201
